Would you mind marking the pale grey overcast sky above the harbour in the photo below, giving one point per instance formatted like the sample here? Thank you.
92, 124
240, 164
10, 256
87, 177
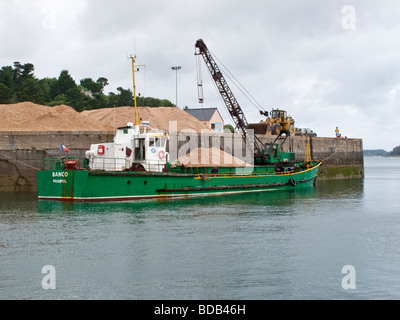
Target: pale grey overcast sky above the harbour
329, 63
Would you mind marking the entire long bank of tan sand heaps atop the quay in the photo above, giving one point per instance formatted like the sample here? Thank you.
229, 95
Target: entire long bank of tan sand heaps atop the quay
28, 116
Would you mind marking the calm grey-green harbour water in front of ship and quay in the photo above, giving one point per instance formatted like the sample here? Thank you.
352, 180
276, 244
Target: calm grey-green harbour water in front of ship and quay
286, 245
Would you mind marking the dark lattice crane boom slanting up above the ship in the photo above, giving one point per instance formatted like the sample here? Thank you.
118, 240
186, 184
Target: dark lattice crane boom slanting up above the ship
230, 101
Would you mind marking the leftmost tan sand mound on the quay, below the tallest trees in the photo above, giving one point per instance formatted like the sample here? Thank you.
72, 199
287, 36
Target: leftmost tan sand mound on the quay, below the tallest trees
28, 116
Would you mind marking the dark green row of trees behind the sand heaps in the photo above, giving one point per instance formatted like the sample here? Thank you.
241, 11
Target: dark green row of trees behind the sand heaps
18, 83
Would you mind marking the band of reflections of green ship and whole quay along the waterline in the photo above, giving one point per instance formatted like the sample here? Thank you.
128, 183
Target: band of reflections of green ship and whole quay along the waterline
20, 203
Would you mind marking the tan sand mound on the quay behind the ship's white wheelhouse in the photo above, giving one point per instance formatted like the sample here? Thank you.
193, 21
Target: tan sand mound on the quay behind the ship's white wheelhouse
159, 118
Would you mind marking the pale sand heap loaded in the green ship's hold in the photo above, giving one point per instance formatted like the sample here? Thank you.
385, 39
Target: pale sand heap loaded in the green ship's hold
206, 157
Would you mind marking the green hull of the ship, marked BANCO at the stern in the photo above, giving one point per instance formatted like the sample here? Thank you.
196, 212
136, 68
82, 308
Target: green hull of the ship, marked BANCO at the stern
78, 184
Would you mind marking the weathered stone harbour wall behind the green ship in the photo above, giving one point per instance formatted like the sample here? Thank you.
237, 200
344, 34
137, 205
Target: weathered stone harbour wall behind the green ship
21, 153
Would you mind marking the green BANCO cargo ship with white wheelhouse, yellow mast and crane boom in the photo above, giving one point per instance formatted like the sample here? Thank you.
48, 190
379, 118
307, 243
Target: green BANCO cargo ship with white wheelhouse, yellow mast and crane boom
136, 164
